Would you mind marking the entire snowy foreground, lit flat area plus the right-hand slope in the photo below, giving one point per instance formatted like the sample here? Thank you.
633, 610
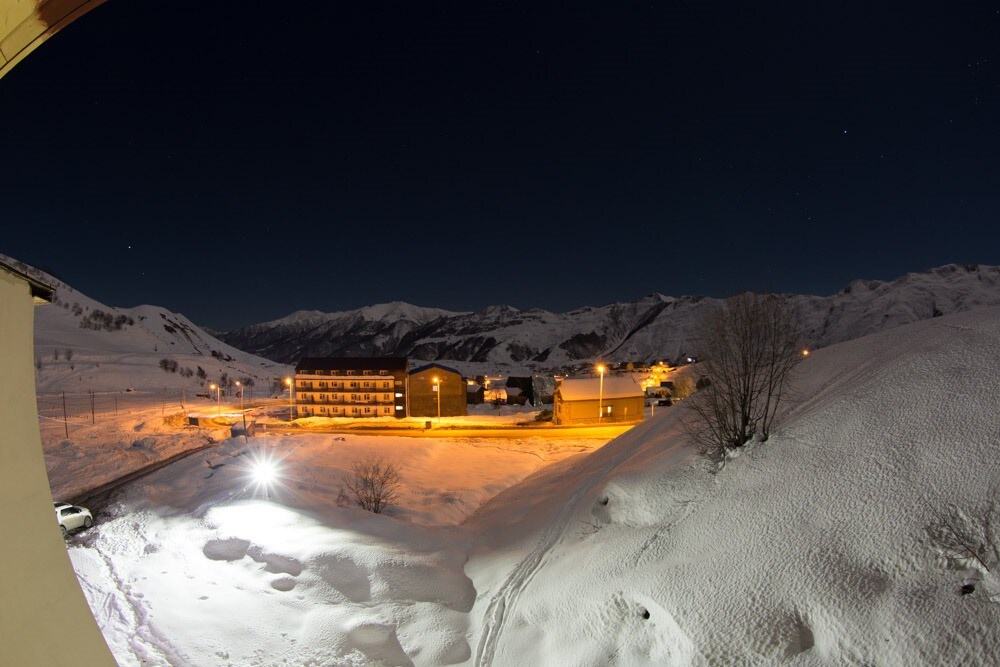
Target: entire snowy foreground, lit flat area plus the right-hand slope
816, 547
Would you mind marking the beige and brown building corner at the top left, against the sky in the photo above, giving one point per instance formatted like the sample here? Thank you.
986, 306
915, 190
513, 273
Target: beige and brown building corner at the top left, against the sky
25, 24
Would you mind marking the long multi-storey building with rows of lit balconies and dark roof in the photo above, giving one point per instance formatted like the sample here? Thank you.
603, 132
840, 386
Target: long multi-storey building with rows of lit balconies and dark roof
350, 387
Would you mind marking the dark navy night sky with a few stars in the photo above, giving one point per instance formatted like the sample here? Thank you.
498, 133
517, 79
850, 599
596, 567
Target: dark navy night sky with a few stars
464, 154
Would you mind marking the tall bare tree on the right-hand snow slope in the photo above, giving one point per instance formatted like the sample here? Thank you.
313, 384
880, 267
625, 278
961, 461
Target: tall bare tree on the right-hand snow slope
750, 345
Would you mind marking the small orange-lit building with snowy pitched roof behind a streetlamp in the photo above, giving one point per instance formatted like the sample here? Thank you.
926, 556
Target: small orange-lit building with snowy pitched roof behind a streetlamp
587, 401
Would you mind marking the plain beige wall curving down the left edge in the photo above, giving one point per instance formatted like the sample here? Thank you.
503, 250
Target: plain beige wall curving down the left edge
44, 618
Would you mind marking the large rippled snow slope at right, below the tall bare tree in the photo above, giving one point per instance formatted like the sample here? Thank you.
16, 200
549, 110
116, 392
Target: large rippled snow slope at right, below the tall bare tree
811, 548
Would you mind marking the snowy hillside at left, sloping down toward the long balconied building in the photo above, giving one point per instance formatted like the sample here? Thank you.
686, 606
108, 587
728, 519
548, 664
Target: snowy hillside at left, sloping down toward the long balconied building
84, 345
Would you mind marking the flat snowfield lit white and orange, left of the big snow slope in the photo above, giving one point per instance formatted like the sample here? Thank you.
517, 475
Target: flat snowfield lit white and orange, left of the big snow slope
196, 567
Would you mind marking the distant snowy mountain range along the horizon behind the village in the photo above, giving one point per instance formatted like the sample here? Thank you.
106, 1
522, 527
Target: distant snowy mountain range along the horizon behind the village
655, 326
